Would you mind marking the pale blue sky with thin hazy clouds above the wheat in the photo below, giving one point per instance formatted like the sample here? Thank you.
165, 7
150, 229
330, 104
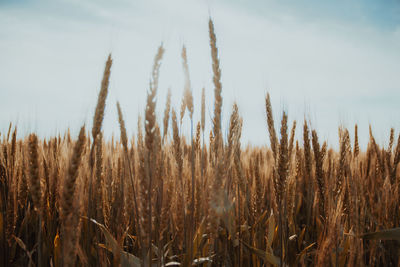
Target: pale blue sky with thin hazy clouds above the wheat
330, 62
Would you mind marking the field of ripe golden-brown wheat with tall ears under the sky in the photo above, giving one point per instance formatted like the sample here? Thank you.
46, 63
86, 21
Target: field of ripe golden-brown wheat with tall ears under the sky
163, 199
